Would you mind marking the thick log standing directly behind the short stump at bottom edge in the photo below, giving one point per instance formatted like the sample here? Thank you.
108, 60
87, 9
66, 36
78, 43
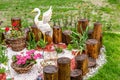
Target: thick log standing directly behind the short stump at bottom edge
82, 63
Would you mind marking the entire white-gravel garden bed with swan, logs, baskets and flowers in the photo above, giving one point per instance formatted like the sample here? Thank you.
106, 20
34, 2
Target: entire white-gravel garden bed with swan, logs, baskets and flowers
53, 53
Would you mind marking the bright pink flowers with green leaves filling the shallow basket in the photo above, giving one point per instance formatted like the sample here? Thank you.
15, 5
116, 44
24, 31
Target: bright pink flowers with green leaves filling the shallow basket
29, 57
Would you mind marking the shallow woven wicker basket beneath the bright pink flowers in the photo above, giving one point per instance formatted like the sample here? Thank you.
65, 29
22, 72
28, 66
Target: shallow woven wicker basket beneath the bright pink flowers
21, 70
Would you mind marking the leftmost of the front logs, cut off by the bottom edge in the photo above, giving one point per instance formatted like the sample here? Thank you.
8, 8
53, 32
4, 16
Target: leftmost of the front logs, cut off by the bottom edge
50, 72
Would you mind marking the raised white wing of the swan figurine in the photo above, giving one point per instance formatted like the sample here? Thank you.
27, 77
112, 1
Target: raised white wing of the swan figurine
47, 15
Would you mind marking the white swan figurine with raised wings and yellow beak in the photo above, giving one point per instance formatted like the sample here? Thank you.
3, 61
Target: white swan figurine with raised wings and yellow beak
43, 25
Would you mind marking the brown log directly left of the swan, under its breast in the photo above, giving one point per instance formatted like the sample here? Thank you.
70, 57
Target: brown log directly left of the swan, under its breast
37, 33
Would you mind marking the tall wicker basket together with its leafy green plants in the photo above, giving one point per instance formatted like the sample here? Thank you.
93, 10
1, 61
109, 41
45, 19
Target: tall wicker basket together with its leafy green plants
16, 39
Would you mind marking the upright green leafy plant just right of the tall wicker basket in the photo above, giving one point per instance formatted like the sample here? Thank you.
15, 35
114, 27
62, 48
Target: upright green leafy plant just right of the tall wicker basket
31, 44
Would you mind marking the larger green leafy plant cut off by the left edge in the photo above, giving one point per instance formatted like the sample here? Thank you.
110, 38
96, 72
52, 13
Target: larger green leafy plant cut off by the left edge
3, 57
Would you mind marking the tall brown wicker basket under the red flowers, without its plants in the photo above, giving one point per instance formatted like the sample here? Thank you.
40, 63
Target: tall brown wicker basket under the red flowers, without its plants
17, 44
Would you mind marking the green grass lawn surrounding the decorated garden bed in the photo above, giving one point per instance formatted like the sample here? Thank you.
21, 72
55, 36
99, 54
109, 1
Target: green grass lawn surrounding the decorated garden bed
67, 8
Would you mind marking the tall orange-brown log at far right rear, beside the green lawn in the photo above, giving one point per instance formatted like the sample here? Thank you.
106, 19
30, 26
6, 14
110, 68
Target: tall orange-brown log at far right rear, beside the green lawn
97, 31
